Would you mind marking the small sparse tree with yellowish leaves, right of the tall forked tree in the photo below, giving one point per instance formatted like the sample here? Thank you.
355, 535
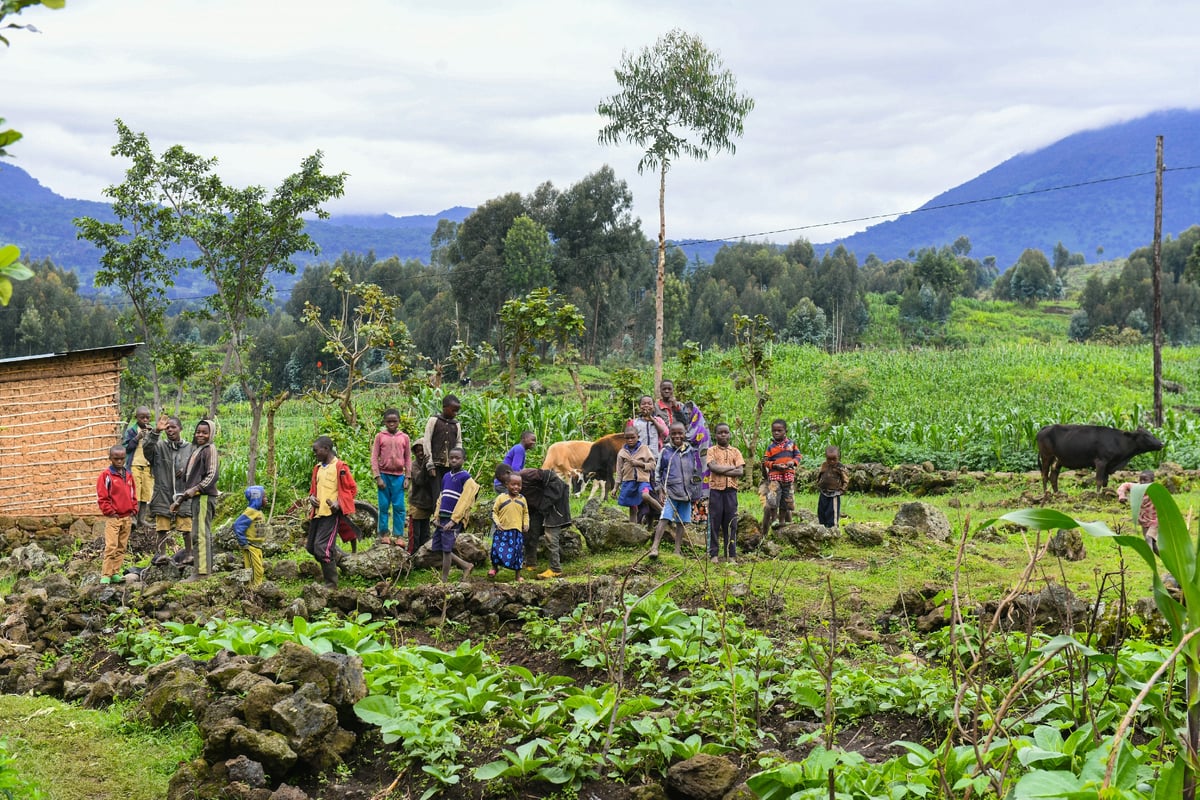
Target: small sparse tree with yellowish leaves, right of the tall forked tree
367, 322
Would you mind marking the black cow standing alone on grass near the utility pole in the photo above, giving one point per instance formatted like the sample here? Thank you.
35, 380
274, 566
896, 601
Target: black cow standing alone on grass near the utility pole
1079, 447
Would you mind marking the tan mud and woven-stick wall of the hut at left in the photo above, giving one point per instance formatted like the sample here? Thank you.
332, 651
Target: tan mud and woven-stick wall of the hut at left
58, 418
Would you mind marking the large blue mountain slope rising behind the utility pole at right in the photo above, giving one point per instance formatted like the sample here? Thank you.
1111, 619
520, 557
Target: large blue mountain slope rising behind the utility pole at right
1091, 190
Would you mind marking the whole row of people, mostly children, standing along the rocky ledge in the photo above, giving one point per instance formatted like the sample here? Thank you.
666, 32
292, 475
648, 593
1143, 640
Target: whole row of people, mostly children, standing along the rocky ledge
425, 495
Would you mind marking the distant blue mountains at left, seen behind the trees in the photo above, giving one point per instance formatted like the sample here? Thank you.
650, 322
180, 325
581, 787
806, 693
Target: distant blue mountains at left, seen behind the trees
41, 224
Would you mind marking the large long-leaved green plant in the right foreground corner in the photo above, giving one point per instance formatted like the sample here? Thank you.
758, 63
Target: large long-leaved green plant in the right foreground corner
1177, 558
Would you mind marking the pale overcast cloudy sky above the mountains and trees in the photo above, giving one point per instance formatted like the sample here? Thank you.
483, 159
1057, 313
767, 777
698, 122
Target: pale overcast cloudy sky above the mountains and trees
862, 107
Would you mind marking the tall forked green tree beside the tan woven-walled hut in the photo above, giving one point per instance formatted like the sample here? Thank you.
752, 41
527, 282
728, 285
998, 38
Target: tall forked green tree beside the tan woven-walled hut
244, 237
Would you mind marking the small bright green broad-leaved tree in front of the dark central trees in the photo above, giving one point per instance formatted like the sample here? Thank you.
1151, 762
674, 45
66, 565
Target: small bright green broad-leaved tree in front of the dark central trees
542, 317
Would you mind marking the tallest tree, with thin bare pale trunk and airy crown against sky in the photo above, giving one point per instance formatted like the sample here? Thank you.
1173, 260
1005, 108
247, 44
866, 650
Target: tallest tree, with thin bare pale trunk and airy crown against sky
677, 99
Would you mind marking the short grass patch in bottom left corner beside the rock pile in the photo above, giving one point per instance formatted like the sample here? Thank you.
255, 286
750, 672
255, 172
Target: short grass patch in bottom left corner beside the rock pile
74, 754
